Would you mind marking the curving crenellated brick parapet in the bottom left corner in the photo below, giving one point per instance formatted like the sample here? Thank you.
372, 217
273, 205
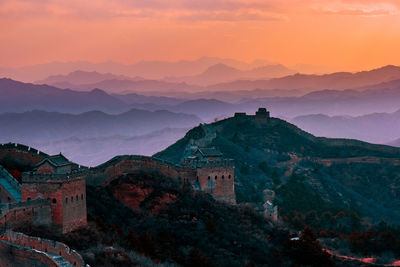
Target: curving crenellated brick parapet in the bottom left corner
46, 246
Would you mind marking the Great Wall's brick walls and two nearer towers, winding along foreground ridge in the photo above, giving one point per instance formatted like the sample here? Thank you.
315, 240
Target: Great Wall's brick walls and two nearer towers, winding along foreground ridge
19, 203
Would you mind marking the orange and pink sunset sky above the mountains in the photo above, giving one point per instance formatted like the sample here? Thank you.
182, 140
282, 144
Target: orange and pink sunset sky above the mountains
345, 34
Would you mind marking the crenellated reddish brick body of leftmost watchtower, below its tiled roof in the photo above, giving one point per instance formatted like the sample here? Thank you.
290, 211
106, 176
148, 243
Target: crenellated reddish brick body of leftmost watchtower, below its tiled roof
66, 194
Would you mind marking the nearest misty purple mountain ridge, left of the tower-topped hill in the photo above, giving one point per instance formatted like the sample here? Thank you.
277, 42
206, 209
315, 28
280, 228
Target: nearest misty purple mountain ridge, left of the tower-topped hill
40, 126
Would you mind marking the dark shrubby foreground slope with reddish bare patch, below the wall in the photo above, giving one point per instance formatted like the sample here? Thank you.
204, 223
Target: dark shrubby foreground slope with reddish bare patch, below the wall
141, 219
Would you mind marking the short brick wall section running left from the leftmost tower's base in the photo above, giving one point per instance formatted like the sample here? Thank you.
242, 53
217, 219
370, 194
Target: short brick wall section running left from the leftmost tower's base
34, 212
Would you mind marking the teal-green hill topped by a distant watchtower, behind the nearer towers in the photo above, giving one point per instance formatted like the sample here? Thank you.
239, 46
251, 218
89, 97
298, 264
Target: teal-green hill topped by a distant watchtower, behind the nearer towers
308, 174
